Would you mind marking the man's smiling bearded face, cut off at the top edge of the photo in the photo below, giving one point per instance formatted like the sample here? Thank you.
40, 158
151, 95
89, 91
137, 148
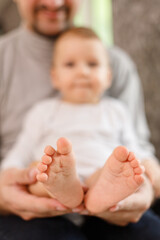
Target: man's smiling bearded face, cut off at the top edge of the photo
47, 17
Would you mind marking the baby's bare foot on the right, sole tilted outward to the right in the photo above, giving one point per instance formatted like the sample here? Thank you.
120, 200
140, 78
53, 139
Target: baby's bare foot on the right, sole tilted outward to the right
120, 177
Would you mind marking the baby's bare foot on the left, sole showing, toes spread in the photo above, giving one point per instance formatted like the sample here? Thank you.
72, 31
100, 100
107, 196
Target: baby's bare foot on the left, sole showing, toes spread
58, 174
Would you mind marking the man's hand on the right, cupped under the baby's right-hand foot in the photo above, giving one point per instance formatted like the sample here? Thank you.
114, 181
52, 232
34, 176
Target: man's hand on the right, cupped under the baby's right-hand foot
131, 208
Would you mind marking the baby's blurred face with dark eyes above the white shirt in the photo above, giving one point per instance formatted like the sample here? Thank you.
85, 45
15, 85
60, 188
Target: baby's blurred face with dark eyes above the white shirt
80, 69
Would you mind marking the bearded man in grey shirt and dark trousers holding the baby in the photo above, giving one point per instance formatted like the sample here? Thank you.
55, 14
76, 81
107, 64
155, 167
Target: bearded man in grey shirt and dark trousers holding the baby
25, 58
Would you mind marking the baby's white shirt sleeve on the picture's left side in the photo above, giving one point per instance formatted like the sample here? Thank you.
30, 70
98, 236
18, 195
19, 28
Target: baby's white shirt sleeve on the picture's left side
22, 152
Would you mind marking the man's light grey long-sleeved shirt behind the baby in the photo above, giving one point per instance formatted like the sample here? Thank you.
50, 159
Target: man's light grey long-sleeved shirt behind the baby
25, 63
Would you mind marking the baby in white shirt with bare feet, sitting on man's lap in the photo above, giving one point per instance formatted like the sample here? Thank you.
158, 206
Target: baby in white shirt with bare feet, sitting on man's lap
95, 126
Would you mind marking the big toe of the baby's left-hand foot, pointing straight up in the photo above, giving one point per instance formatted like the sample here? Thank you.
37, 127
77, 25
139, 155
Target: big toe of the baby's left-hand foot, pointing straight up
64, 146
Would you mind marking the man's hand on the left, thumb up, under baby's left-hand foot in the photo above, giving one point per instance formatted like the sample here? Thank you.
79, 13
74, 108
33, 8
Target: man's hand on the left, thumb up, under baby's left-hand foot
15, 198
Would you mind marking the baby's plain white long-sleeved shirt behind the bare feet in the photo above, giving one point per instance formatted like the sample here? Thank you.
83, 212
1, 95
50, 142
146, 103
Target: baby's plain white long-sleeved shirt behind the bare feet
93, 129
